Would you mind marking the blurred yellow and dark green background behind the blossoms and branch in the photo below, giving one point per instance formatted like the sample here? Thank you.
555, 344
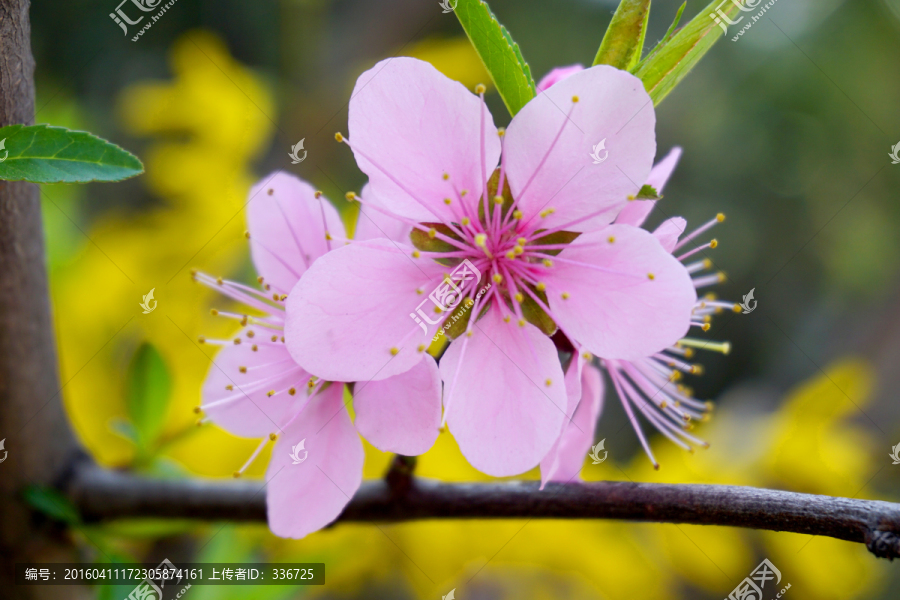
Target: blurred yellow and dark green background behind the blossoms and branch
786, 131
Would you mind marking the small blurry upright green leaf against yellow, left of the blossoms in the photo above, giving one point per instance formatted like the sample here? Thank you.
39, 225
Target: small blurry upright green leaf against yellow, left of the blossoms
148, 390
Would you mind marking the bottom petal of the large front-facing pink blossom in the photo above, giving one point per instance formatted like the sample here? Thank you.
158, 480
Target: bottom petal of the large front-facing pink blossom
501, 411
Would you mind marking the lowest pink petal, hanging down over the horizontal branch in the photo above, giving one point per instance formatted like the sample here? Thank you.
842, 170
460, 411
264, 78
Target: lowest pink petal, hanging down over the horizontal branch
305, 497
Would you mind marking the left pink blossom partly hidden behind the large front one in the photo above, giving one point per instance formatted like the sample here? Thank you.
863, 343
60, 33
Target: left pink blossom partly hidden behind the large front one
256, 389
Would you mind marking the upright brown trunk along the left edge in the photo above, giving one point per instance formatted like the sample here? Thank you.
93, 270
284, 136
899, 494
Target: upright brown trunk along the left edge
40, 446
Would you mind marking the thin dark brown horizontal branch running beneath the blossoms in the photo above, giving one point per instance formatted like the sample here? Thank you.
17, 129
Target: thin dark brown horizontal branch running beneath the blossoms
103, 494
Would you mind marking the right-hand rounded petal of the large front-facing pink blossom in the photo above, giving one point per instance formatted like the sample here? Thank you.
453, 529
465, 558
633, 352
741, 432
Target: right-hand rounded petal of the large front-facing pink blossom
614, 308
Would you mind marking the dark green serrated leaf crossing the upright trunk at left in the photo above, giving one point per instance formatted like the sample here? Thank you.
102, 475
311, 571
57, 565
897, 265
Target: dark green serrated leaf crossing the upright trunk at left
45, 154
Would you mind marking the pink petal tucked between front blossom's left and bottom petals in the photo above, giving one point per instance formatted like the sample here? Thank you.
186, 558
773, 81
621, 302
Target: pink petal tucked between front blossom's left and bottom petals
401, 414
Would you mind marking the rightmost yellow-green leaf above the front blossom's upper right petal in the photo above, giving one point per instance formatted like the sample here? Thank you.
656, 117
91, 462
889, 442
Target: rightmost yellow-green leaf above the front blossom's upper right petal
669, 65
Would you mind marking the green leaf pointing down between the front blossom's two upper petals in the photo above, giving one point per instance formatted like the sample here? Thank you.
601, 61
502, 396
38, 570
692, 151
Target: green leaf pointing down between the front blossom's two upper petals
499, 53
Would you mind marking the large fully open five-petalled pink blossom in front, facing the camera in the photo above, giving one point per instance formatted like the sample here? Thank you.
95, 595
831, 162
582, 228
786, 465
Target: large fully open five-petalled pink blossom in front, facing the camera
536, 225
